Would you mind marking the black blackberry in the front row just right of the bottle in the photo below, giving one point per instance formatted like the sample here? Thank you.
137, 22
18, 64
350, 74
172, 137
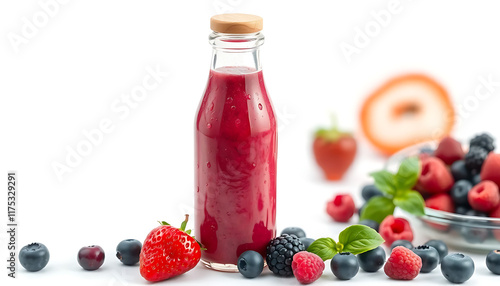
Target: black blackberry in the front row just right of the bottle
280, 252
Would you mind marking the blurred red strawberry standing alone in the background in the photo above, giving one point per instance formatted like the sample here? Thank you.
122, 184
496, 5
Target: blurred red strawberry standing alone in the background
334, 152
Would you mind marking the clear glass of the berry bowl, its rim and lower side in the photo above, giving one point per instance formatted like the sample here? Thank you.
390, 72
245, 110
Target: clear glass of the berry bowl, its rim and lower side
473, 233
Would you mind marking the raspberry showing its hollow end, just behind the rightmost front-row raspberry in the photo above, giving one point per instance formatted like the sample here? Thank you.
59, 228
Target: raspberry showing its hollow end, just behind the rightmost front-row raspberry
392, 229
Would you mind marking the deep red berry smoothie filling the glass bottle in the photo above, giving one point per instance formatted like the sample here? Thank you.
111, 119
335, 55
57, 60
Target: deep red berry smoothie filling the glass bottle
235, 172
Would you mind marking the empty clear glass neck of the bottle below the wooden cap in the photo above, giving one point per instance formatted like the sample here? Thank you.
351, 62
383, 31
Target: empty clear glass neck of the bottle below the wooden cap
236, 53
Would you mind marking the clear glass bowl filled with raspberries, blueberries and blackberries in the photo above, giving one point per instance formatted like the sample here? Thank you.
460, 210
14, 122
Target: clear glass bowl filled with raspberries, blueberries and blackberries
460, 185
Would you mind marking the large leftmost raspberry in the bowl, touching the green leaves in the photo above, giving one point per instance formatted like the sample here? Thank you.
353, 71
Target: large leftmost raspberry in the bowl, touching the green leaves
435, 177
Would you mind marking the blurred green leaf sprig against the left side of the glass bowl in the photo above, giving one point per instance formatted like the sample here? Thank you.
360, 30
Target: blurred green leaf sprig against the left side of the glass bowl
397, 189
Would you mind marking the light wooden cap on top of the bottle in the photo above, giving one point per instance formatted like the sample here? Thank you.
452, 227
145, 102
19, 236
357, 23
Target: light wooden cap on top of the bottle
236, 23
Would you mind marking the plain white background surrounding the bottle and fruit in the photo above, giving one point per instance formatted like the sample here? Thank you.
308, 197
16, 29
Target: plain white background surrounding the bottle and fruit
63, 79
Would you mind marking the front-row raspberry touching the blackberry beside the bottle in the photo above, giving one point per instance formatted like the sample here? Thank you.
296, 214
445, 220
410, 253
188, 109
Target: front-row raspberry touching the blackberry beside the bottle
307, 267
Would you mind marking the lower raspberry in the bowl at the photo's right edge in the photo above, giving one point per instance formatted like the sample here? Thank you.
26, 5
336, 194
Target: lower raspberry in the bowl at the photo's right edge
484, 197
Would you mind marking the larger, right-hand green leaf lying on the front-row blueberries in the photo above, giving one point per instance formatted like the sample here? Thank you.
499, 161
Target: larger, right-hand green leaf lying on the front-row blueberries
357, 239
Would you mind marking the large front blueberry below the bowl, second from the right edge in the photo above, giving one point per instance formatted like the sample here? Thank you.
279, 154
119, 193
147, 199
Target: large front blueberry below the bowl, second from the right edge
457, 268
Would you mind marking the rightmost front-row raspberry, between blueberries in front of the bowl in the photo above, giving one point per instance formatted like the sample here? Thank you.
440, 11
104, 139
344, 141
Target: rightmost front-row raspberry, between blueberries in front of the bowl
403, 264
